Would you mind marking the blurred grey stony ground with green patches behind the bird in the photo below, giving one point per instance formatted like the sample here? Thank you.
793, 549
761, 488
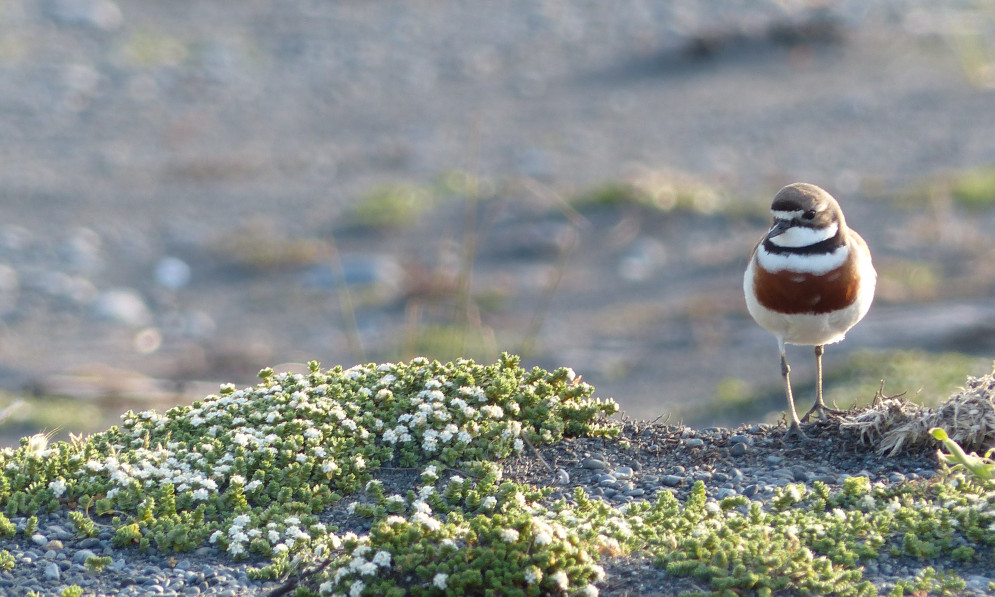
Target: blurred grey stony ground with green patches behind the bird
194, 190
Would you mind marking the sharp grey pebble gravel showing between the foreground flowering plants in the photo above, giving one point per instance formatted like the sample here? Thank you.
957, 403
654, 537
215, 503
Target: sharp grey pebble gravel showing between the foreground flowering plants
648, 458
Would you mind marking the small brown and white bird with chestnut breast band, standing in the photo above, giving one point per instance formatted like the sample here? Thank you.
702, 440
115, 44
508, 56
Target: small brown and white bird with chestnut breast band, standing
810, 279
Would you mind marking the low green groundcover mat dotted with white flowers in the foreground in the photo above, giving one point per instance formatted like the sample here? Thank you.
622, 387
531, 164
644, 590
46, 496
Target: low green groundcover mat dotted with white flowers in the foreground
252, 471
